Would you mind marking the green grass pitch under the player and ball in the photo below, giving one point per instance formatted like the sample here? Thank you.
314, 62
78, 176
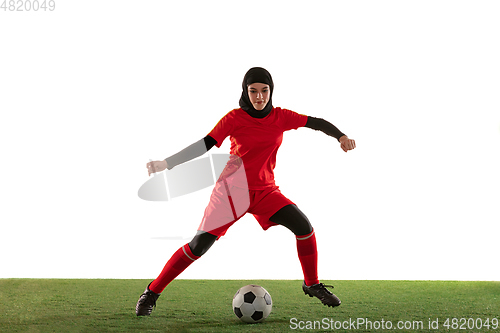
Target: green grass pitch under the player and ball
53, 305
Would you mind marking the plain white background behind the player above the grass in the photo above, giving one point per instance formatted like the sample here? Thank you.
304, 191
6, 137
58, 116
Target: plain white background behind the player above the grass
93, 90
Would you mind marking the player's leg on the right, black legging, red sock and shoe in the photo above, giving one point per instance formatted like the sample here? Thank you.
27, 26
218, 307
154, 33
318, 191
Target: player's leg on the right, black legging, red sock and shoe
292, 218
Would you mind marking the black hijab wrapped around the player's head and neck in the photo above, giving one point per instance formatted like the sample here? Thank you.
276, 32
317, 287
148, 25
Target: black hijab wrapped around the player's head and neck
256, 75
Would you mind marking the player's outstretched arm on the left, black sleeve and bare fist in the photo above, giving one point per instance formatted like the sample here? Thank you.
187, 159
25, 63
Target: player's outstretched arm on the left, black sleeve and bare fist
197, 149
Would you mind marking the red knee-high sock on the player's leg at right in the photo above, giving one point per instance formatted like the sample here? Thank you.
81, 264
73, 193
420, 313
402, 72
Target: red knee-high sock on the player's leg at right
308, 256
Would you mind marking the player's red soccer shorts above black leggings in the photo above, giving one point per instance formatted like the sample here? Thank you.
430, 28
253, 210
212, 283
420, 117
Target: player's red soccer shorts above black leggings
224, 210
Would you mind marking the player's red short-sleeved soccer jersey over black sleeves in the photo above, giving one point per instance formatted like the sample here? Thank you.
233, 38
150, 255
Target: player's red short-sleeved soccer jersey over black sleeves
256, 141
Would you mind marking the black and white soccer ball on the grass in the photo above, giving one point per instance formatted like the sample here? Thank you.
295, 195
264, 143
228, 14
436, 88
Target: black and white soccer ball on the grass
252, 303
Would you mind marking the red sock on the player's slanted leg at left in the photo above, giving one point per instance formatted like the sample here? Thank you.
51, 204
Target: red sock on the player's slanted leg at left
181, 259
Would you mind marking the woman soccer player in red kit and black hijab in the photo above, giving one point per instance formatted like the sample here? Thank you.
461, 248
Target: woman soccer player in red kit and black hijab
256, 132
